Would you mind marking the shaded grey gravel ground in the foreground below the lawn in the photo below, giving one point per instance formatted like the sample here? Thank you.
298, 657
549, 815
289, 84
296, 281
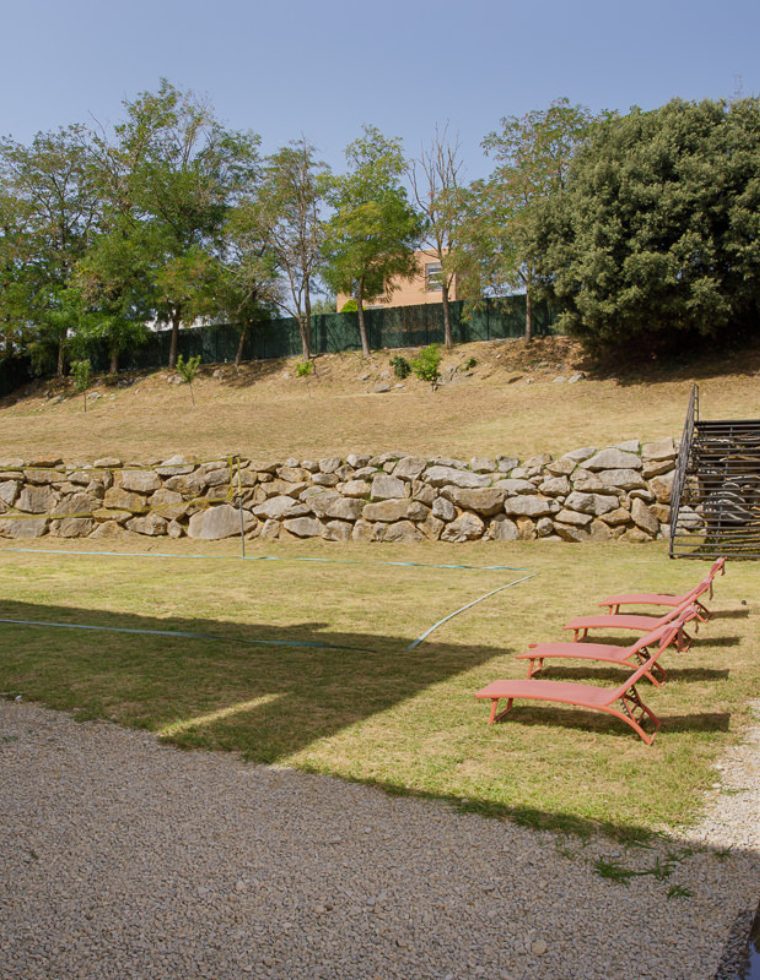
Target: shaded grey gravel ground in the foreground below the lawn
121, 857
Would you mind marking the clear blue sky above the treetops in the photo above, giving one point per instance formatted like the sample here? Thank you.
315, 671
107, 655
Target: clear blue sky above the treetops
323, 68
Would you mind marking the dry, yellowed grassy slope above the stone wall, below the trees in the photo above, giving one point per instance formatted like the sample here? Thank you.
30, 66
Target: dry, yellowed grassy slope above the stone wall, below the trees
509, 402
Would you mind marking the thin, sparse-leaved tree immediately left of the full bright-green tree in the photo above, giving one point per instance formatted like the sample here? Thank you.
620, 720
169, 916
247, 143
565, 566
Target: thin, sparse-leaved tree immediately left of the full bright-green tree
288, 215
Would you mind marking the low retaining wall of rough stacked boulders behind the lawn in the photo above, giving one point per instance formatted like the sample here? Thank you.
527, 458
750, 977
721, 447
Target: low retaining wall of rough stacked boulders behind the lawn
620, 492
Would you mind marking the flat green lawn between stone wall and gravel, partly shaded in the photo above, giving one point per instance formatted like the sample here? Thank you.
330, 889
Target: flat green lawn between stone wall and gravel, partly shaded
362, 706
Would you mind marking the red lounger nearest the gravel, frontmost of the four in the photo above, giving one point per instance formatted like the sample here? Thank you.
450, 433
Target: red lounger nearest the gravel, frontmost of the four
621, 702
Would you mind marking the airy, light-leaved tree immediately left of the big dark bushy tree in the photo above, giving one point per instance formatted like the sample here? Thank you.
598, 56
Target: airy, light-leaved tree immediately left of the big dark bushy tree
532, 155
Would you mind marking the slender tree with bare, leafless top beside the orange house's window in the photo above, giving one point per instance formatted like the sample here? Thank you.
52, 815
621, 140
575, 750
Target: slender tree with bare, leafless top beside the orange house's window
435, 177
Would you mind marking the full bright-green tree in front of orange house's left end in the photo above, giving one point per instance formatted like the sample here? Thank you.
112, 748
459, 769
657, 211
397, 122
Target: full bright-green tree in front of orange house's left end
371, 237
